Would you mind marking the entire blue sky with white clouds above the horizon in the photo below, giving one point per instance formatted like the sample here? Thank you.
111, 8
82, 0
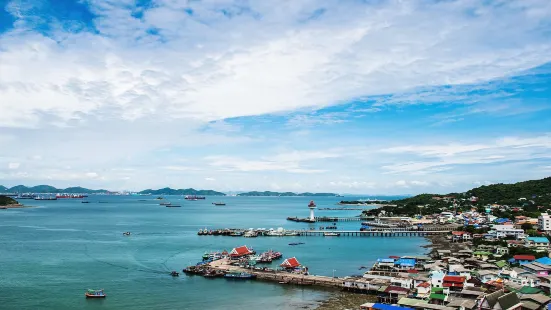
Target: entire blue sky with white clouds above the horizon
371, 97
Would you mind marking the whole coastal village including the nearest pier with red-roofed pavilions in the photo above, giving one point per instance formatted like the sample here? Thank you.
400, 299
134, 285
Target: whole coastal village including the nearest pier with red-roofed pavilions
480, 261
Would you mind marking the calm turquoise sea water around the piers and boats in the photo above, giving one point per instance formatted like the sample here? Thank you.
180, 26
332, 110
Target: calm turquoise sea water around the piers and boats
51, 254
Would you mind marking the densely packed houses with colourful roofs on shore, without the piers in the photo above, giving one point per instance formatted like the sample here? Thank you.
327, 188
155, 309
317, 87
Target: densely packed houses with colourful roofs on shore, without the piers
473, 278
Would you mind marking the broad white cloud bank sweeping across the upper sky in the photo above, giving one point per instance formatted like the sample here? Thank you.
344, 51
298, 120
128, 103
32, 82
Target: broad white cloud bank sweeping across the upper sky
210, 67
